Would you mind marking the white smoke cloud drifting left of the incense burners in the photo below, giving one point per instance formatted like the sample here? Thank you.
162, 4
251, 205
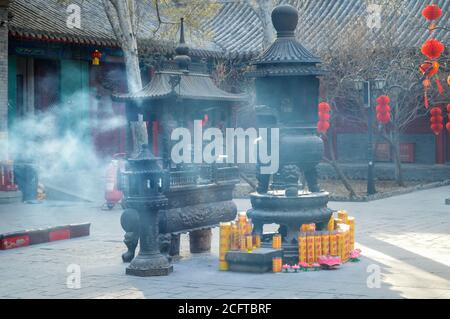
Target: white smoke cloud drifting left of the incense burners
60, 143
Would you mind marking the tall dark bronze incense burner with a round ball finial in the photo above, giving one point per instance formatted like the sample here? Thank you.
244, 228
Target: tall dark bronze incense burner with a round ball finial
287, 93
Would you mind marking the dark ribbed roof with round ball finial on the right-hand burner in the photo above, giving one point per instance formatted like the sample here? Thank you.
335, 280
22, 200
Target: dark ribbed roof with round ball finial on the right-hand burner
286, 56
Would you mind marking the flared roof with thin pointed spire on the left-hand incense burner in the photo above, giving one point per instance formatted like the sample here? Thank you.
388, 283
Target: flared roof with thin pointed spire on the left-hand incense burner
181, 82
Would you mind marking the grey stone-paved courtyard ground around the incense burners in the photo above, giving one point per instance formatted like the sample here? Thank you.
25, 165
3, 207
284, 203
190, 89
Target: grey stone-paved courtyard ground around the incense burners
407, 237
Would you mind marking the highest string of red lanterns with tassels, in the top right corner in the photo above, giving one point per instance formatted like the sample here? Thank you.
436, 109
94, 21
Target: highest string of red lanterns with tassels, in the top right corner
432, 49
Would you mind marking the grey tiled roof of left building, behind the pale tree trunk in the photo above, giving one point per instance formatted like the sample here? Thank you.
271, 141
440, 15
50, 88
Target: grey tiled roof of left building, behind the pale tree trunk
45, 20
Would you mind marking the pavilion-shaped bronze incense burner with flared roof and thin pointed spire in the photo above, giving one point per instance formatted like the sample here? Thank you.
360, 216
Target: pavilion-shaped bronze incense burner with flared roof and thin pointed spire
197, 197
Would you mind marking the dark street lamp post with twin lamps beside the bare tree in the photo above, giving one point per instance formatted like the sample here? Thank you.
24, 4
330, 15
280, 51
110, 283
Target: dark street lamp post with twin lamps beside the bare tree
366, 86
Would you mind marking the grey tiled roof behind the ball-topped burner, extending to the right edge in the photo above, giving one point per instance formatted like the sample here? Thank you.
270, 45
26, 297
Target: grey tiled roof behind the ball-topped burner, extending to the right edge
323, 23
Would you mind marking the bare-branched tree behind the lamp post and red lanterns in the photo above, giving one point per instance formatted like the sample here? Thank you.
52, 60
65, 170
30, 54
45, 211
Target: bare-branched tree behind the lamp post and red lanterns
379, 57
